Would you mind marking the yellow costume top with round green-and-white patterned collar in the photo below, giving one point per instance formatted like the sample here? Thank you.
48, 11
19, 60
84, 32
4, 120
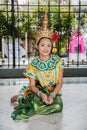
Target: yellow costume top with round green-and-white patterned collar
46, 72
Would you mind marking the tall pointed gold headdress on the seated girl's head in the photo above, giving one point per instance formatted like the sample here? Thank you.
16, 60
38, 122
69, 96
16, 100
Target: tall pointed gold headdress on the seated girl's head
44, 31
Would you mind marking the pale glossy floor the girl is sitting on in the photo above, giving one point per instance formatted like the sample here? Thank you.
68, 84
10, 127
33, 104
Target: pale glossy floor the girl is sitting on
73, 117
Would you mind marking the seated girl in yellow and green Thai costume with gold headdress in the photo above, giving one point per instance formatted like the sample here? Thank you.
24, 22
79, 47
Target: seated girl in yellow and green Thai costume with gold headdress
45, 74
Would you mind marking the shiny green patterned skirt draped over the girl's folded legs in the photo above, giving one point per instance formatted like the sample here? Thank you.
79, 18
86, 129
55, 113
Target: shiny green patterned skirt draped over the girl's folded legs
32, 104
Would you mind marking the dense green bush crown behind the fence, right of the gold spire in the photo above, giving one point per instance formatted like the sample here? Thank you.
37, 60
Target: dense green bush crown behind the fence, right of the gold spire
63, 23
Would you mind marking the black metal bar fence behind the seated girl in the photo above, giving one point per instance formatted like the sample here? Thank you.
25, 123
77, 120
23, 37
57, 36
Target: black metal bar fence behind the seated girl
19, 23
